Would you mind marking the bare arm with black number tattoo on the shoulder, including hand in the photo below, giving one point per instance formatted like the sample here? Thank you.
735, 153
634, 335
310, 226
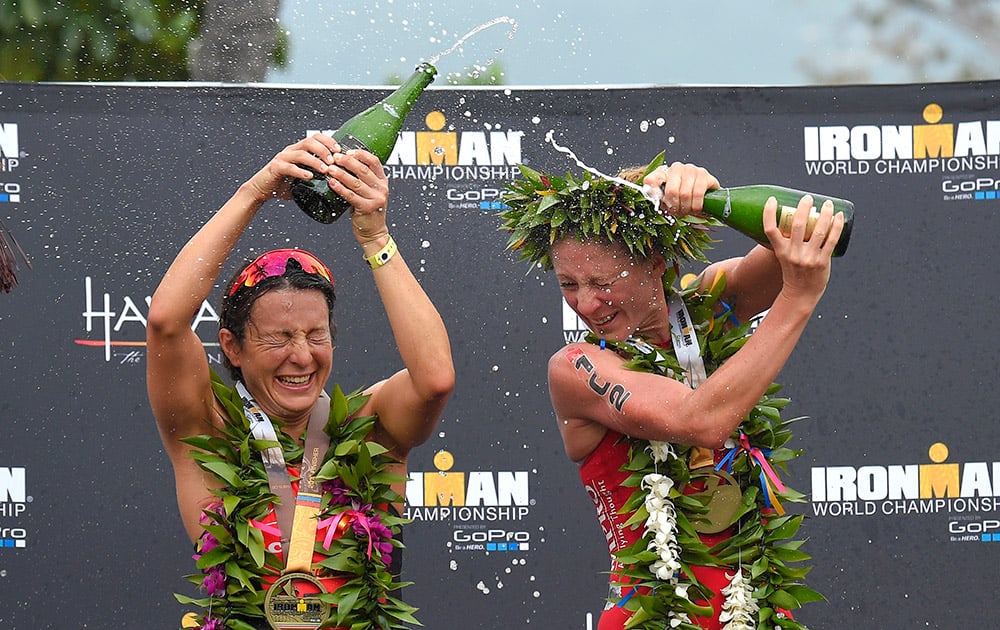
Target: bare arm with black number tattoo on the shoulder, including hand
659, 408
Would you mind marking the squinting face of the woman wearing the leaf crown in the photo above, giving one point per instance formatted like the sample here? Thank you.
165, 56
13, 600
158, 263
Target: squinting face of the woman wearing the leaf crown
615, 295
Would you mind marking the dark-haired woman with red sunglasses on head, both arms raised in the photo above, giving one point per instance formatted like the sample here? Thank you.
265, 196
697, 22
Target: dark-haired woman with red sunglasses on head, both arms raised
290, 493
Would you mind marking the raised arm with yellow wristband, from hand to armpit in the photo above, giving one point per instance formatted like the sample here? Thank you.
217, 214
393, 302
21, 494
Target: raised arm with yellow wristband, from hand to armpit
410, 402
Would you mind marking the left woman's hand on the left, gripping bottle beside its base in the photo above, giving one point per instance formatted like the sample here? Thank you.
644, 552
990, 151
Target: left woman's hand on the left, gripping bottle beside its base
274, 179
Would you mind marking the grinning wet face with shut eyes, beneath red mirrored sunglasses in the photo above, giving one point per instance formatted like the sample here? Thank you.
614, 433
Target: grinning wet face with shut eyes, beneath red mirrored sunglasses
287, 354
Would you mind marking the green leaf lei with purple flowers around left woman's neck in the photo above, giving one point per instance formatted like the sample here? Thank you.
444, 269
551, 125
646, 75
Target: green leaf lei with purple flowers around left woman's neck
361, 536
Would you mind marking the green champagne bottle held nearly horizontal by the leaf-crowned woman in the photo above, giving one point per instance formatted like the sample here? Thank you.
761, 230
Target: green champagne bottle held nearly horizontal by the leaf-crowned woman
742, 208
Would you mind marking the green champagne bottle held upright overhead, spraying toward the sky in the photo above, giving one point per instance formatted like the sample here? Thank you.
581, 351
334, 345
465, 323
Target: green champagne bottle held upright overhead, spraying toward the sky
375, 130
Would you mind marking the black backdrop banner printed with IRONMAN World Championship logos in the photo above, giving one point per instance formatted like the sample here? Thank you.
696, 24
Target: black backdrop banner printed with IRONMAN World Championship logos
103, 184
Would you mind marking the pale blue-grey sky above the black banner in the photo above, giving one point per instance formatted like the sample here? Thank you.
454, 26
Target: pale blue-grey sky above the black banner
566, 42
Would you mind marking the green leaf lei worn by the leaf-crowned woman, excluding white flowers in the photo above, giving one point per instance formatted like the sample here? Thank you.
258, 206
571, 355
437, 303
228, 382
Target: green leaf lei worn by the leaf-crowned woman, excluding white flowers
762, 542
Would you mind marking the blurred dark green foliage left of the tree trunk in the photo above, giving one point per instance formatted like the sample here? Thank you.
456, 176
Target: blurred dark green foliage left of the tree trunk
97, 40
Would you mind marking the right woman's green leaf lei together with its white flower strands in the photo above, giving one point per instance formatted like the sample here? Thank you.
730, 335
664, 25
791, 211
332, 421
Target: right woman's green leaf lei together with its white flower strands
767, 578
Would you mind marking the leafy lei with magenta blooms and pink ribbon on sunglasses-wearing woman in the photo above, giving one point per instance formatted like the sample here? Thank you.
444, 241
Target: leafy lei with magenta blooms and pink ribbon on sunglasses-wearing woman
236, 606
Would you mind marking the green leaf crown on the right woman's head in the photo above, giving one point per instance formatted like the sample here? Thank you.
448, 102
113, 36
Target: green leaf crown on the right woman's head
542, 209
